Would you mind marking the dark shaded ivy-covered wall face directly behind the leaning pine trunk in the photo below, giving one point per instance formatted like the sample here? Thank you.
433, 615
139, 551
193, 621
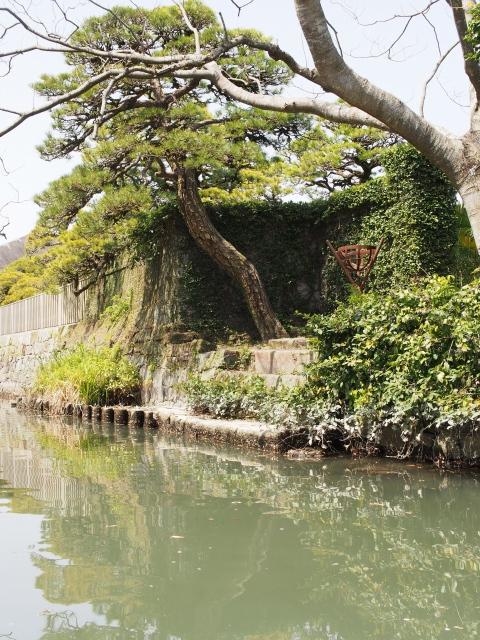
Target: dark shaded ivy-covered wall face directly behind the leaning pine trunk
287, 244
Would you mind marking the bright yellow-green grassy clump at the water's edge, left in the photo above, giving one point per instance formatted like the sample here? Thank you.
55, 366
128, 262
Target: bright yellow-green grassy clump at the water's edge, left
87, 375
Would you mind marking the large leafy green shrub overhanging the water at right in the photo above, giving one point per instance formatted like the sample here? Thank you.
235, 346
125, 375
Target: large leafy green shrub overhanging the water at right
414, 353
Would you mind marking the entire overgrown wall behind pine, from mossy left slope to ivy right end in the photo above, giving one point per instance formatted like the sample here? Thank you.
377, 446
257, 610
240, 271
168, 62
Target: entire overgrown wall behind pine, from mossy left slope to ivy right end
413, 207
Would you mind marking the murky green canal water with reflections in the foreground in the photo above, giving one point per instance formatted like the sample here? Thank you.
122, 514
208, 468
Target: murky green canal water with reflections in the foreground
107, 534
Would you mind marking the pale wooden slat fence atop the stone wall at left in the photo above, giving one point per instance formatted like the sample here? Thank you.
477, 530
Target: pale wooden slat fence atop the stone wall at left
43, 311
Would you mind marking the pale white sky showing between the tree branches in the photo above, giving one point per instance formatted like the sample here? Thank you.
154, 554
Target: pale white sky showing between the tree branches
362, 46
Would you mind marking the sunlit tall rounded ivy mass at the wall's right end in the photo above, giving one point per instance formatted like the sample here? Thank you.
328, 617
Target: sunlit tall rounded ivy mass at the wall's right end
418, 219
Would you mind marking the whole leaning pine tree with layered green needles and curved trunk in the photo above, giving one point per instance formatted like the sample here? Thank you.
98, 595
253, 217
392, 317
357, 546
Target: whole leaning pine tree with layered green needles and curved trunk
156, 129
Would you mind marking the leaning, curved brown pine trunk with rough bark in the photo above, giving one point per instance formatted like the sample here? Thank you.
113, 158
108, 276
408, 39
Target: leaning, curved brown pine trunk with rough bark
226, 255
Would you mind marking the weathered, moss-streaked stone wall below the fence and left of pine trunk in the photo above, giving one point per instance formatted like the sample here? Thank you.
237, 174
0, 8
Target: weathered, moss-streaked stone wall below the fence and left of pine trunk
135, 307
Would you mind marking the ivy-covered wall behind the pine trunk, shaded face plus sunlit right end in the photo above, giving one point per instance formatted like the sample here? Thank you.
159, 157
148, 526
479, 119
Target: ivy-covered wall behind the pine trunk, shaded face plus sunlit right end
412, 208
